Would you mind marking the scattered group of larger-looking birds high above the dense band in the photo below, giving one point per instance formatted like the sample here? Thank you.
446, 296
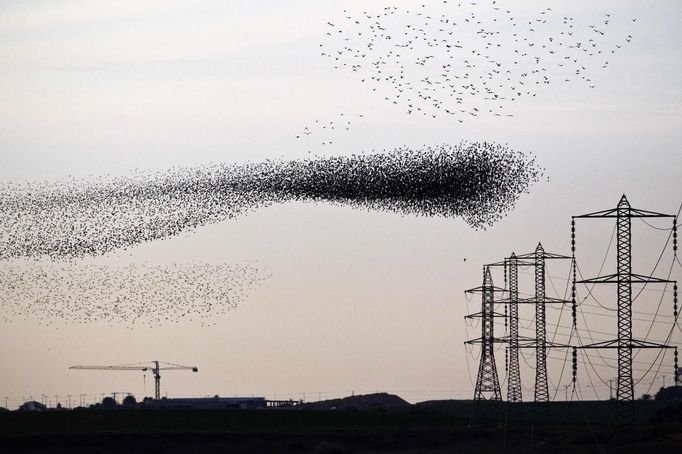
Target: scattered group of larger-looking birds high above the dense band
465, 59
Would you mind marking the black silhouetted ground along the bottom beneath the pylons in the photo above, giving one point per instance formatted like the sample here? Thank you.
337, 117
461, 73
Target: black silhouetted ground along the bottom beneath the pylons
431, 427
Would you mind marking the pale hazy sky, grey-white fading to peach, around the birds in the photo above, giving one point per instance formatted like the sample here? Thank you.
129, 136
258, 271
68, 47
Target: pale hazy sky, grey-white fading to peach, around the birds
358, 301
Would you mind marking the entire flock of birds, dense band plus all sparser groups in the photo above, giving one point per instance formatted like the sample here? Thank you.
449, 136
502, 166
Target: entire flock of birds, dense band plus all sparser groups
459, 61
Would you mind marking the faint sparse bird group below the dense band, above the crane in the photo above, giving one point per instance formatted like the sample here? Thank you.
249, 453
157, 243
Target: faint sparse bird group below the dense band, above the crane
134, 295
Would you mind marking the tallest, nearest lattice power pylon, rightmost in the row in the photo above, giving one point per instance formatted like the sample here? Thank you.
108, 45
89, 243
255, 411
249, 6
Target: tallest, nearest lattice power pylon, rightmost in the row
624, 278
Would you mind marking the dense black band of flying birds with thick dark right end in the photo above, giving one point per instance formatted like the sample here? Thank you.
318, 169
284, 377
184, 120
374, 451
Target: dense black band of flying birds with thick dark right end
478, 182
